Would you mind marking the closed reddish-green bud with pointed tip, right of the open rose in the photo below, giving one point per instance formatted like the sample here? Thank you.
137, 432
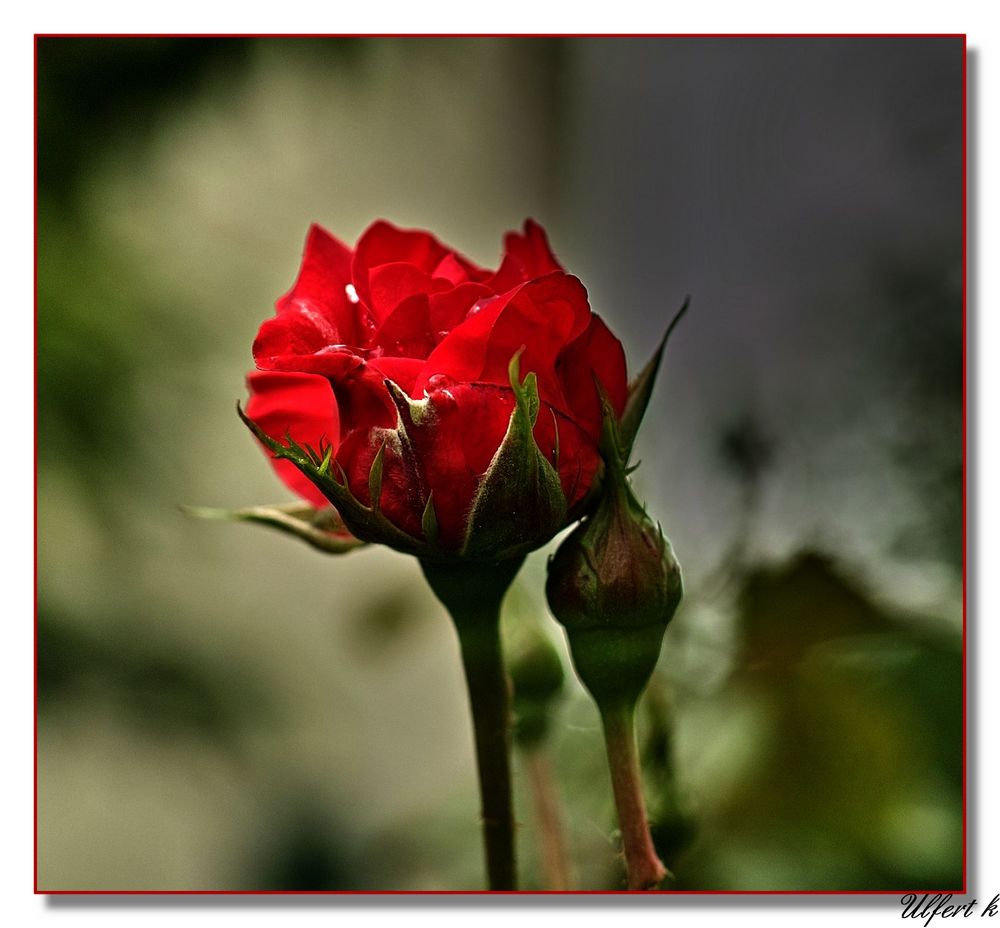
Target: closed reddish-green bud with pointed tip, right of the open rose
614, 584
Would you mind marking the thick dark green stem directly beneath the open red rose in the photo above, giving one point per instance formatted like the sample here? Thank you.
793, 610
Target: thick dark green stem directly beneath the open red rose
472, 594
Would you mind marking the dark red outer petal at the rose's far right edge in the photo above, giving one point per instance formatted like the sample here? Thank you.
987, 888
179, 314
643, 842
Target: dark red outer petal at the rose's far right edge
596, 353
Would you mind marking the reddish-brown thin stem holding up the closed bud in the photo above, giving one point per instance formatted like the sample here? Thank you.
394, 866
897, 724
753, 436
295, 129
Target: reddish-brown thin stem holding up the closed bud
645, 869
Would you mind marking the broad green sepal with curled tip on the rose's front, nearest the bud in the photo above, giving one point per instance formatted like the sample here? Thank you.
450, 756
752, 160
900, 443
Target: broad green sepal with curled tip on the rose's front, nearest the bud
520, 502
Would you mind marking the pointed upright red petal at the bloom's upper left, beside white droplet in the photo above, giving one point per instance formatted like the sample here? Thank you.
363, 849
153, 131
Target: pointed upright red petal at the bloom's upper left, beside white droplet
320, 289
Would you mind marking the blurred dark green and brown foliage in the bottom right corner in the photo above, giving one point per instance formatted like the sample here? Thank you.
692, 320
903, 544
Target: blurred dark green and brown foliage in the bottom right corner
853, 717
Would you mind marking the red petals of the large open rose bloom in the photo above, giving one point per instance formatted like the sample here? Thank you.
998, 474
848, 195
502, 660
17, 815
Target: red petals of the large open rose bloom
403, 309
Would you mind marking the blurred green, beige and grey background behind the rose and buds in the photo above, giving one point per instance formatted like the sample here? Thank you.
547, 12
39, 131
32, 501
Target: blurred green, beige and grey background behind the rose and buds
220, 707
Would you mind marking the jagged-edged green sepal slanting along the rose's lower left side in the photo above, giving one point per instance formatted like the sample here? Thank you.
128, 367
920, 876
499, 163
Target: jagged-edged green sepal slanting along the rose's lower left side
365, 522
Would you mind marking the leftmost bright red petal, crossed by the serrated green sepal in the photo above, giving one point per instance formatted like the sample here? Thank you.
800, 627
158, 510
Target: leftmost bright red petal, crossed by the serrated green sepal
302, 406
